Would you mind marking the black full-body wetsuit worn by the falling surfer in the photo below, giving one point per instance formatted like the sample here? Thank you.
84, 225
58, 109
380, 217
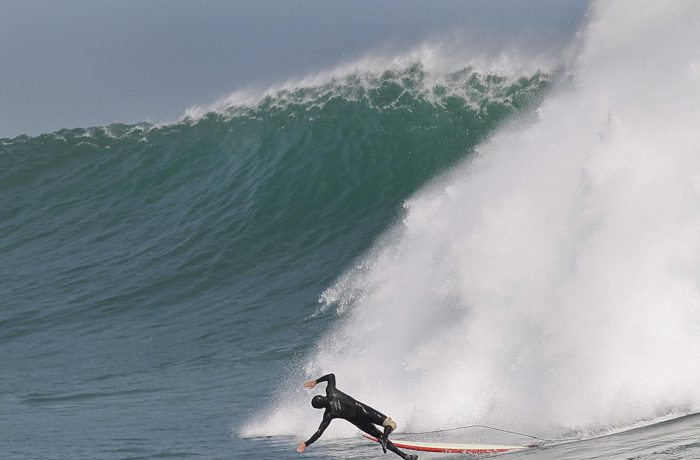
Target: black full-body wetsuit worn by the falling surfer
361, 415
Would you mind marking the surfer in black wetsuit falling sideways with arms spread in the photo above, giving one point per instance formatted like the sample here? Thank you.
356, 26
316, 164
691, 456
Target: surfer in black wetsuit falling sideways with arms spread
339, 405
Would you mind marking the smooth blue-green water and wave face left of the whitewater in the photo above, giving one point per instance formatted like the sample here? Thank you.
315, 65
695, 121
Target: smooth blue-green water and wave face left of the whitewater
158, 280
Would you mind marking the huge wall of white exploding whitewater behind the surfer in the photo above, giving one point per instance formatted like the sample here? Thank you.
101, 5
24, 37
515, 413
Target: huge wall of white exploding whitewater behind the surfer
551, 283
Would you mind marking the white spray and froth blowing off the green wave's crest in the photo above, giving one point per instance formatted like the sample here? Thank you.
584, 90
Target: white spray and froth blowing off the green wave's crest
441, 67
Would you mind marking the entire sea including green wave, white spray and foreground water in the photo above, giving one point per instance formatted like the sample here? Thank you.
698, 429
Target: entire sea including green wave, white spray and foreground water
501, 246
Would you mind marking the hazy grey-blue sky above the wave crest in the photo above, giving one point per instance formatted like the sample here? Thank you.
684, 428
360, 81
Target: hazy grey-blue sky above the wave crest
79, 63
